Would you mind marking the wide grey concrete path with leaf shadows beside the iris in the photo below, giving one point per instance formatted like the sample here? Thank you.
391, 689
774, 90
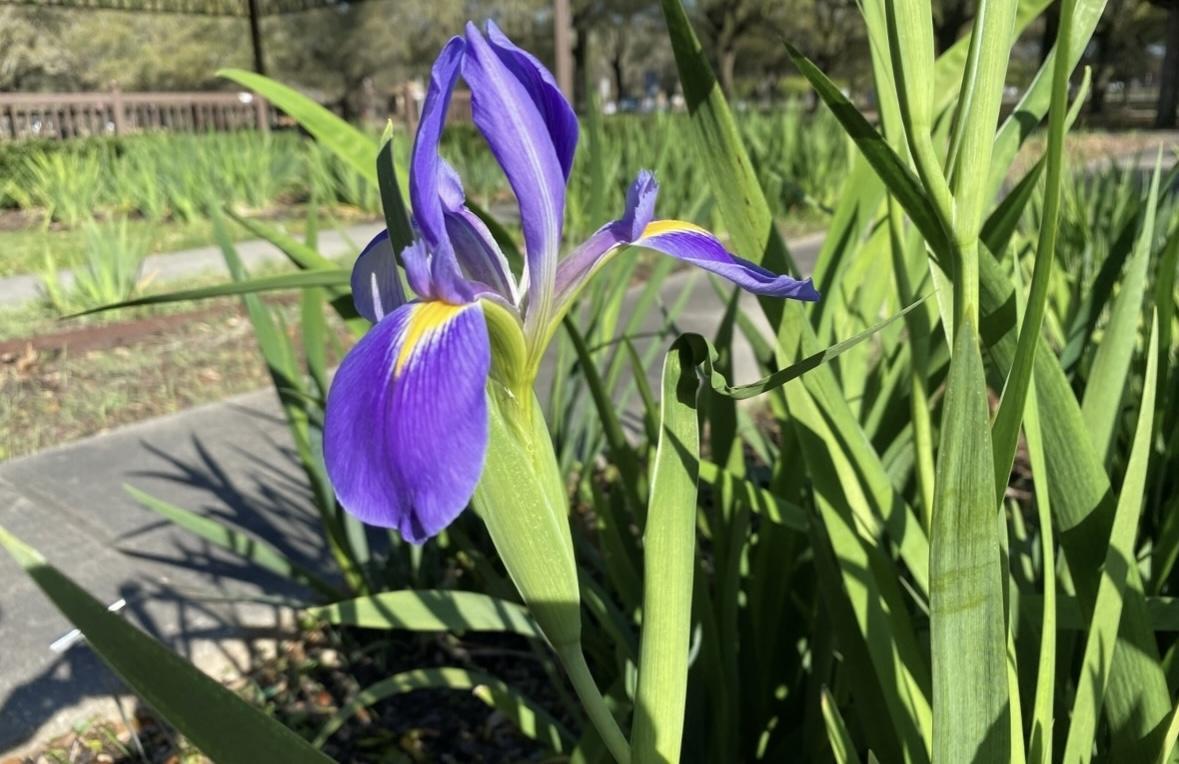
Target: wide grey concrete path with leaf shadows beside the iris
230, 460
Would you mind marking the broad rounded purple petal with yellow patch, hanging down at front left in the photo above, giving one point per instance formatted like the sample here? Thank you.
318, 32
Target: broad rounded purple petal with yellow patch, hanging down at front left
406, 423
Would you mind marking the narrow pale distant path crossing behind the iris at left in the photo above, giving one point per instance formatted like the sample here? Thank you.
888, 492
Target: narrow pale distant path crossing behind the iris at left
176, 267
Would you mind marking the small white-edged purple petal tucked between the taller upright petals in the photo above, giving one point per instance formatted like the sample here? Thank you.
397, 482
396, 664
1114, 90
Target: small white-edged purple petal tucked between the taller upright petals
479, 256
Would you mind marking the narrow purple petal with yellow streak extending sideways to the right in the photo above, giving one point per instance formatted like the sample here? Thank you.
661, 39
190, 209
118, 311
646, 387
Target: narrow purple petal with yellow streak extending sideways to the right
693, 245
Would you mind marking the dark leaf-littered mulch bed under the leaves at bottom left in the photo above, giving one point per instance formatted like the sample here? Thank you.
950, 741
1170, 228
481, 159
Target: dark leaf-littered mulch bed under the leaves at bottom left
313, 677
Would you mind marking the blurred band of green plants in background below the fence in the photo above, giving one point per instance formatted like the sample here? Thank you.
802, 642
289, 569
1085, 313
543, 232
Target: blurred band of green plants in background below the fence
164, 185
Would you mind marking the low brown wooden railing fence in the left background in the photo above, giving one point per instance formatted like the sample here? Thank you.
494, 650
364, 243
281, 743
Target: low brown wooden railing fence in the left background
60, 116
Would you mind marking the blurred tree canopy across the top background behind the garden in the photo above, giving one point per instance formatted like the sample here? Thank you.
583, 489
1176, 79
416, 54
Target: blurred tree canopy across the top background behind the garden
350, 52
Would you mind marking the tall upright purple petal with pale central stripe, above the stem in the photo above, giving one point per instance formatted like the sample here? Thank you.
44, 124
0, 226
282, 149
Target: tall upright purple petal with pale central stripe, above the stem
506, 114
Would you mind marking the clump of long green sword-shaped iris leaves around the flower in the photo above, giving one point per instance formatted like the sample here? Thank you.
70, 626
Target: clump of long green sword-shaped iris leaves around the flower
956, 542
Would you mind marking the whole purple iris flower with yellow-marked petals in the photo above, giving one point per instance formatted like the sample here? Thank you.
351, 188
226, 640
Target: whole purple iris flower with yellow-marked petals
407, 417
